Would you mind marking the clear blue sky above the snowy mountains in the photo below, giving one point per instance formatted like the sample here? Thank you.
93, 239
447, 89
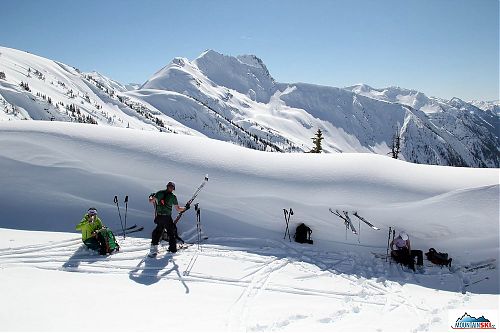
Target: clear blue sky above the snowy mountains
445, 48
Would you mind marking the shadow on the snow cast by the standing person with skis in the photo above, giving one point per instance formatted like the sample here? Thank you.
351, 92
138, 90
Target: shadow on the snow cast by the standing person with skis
147, 271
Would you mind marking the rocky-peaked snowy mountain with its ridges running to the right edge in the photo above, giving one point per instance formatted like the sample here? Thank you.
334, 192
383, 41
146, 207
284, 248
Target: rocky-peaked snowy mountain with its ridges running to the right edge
433, 131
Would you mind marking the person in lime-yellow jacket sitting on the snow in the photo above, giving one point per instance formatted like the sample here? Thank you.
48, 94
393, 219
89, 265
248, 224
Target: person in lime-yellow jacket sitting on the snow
95, 235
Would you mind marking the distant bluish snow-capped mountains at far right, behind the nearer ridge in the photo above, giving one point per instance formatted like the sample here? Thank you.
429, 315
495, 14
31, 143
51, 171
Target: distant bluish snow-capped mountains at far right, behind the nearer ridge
471, 129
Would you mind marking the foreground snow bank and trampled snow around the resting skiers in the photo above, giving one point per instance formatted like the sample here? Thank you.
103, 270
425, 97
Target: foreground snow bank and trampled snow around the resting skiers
251, 277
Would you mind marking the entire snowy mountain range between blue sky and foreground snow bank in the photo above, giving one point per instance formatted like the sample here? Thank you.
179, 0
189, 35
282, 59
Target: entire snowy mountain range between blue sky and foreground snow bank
236, 99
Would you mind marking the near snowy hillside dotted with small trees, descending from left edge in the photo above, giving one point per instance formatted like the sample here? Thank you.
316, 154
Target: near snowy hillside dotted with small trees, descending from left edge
32, 87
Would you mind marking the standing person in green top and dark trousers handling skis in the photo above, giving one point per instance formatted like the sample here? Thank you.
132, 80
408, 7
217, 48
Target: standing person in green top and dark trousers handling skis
163, 201
